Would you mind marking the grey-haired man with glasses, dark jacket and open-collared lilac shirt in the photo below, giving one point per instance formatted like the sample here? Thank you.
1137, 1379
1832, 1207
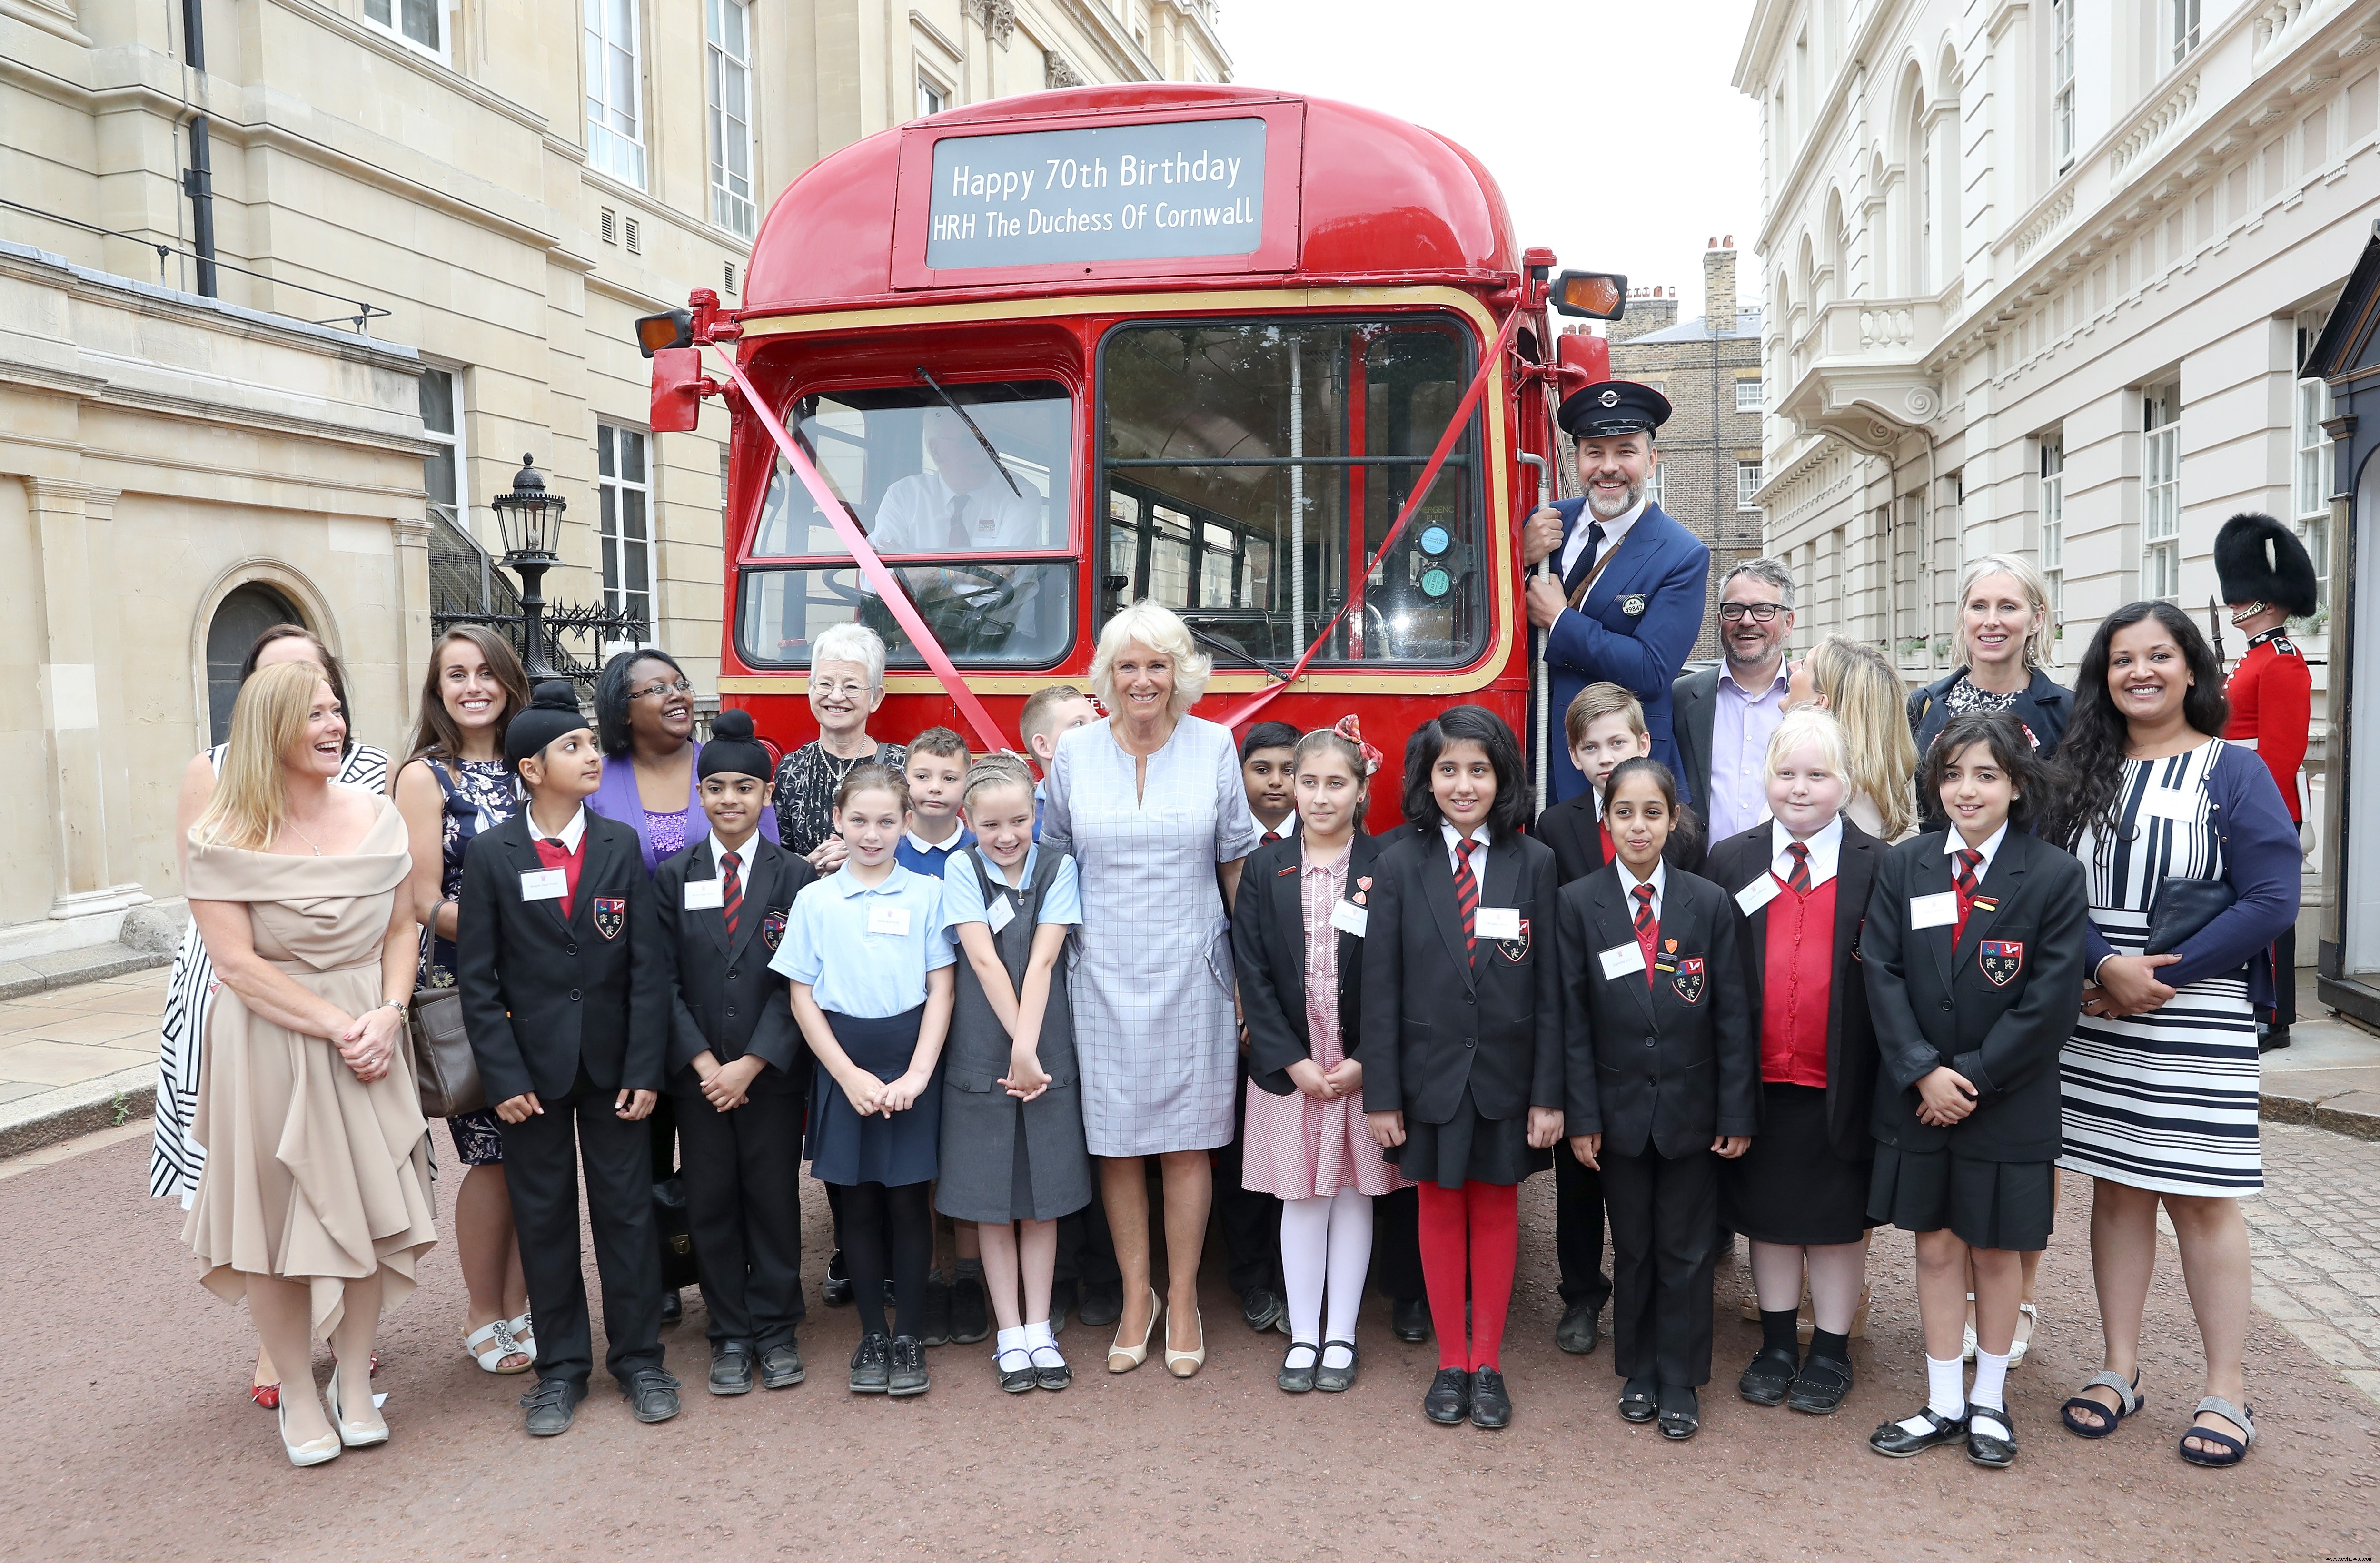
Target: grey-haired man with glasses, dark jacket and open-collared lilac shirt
1729, 713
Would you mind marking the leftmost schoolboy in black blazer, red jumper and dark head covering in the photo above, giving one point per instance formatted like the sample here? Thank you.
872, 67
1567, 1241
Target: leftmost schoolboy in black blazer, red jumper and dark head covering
568, 1008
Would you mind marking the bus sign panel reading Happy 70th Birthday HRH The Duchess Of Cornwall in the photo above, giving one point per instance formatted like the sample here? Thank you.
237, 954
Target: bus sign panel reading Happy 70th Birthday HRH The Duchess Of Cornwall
1141, 192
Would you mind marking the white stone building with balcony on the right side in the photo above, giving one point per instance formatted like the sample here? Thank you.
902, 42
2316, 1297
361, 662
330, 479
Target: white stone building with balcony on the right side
2041, 280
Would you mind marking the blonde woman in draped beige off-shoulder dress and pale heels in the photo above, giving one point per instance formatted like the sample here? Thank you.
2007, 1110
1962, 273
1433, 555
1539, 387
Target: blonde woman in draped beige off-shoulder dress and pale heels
315, 1200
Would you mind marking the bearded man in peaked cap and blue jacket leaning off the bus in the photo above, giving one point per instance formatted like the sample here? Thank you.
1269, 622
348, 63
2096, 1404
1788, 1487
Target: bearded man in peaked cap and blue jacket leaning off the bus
1624, 603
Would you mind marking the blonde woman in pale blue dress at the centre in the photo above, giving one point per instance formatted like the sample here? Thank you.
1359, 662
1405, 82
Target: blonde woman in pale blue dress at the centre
1155, 815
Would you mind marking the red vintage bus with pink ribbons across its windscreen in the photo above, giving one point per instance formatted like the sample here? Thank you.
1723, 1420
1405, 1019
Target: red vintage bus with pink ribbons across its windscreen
1189, 344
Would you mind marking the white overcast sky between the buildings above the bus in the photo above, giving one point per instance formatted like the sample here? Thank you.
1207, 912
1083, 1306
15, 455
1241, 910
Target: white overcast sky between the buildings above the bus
1610, 127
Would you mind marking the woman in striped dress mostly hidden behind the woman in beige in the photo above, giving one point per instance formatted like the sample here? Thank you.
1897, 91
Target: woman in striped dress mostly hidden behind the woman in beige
175, 1157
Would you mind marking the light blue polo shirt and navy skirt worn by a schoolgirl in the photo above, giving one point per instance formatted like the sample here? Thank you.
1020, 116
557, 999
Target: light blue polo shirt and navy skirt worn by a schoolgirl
865, 955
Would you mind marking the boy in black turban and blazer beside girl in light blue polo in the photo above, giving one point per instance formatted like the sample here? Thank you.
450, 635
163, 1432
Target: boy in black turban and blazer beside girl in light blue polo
741, 1162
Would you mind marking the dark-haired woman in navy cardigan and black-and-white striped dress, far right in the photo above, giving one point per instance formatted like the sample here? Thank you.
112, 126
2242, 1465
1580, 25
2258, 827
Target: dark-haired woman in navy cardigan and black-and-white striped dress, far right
2160, 1076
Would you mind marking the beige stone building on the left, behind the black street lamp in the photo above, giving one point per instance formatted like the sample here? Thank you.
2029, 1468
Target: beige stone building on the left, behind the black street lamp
475, 201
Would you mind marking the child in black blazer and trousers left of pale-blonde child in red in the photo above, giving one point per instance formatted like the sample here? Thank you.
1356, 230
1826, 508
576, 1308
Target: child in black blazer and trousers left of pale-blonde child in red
1660, 1065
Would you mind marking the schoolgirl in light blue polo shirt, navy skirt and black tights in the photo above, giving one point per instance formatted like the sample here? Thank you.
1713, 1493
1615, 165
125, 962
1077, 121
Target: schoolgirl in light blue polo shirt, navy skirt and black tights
872, 988
